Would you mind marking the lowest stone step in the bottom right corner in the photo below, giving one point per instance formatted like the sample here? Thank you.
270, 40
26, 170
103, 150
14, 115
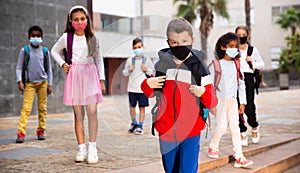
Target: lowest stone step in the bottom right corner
275, 160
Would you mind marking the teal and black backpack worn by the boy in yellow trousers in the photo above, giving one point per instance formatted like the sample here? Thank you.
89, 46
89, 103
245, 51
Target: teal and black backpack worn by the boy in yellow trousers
26, 61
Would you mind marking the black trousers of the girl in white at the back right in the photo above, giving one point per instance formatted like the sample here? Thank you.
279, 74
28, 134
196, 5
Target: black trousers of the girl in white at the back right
250, 109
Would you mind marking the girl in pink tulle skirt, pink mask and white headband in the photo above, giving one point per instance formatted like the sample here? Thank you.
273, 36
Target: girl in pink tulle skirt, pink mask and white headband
85, 77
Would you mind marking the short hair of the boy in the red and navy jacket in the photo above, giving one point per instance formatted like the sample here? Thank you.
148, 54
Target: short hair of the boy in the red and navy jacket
179, 25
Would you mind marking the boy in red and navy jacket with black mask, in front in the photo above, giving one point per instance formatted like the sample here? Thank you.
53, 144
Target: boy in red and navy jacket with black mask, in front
183, 87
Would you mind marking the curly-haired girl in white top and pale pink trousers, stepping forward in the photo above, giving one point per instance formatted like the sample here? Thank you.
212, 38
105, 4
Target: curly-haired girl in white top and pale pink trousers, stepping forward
227, 109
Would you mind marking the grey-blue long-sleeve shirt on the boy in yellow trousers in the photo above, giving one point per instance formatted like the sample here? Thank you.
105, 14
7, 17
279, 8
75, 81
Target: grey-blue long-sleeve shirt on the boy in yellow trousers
36, 71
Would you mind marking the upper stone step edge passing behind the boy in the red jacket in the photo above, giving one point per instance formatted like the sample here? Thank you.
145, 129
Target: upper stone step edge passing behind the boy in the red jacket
206, 164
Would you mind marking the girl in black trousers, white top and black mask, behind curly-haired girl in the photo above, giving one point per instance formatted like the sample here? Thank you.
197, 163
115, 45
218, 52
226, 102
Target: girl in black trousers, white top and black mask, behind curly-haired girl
248, 64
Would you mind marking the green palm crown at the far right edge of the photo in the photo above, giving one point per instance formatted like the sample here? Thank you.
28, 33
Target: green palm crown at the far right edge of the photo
289, 19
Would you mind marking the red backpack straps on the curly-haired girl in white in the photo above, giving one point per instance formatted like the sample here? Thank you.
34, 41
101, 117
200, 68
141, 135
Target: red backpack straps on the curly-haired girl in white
218, 72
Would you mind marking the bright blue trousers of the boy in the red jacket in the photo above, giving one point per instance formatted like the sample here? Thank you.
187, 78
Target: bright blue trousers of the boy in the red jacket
180, 157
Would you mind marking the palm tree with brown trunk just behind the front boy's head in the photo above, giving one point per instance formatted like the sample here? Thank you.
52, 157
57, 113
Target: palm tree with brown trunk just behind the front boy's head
189, 9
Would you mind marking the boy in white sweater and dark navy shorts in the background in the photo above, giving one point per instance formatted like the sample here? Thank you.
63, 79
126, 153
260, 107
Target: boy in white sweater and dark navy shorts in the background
137, 68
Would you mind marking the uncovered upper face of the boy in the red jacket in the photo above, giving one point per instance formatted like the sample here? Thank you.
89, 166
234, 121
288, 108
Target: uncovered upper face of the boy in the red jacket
180, 39
